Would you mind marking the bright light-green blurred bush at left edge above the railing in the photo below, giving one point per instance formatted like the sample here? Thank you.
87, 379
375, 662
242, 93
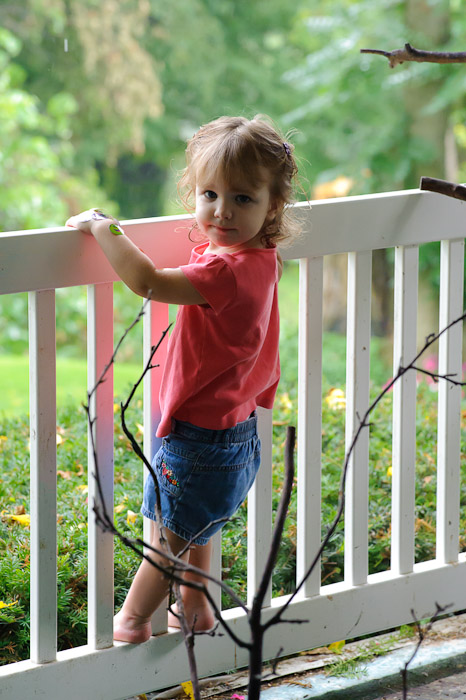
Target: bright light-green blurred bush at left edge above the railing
35, 134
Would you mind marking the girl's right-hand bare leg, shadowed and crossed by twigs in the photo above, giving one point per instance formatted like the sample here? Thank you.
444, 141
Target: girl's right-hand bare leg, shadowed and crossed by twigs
197, 609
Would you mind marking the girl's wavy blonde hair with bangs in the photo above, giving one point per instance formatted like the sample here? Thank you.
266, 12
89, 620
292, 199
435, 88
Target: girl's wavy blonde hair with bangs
241, 150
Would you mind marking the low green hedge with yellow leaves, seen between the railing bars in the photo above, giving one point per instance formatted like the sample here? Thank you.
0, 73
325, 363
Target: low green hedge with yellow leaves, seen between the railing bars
72, 512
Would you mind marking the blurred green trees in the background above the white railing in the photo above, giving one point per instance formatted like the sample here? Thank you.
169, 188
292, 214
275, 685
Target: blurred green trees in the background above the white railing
97, 100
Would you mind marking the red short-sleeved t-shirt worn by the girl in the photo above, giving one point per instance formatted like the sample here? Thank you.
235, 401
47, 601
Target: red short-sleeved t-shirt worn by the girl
222, 359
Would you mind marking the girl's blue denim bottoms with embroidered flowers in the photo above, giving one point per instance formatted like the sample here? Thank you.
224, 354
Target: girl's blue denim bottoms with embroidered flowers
203, 476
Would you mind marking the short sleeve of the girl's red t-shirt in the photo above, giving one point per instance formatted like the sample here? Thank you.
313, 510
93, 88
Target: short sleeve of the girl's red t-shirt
214, 279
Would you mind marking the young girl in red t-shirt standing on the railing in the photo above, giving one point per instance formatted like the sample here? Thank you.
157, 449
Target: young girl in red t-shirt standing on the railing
223, 353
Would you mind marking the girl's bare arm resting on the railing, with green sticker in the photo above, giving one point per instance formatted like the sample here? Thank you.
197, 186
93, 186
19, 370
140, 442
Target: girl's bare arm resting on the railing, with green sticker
135, 268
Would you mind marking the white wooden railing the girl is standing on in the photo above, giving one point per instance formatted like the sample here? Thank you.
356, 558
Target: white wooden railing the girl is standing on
42, 261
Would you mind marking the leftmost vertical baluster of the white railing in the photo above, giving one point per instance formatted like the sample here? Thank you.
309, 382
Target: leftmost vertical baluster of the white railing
43, 428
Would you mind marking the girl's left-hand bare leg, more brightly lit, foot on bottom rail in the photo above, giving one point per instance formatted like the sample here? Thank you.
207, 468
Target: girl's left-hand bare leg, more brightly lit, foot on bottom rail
149, 588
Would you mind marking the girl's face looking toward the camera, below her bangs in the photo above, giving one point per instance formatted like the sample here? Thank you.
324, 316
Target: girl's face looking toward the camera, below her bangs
232, 217
